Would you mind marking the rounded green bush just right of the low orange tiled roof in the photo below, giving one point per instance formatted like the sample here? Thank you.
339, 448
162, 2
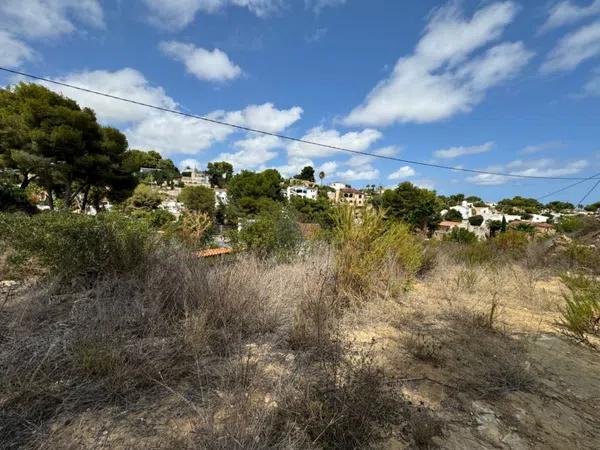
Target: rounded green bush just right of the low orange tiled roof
274, 233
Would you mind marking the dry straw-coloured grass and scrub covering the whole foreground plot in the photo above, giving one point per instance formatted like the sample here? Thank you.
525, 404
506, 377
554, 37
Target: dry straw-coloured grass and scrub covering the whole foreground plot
254, 354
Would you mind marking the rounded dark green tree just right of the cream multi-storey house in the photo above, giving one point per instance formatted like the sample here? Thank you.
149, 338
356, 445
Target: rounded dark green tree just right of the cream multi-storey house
416, 206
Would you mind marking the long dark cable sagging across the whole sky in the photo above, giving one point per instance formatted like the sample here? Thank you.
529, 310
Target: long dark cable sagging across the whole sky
288, 138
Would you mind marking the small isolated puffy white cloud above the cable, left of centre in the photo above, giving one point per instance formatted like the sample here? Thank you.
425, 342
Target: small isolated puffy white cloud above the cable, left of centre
204, 64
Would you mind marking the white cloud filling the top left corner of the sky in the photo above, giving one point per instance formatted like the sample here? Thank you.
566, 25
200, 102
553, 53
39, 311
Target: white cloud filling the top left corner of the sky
48, 19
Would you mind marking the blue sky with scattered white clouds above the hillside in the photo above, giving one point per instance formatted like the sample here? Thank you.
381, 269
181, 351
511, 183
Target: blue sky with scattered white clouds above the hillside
510, 86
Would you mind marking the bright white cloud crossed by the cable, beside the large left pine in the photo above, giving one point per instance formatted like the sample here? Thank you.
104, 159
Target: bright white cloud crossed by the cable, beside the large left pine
126, 82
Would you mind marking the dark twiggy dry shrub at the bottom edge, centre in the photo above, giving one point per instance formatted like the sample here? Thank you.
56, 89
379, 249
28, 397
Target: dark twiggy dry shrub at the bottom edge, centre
348, 403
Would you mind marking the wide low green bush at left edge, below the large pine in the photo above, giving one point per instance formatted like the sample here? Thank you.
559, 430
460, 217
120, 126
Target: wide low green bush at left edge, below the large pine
70, 245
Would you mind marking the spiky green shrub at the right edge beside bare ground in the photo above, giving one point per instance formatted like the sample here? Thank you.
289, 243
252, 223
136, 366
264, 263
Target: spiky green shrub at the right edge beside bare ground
581, 315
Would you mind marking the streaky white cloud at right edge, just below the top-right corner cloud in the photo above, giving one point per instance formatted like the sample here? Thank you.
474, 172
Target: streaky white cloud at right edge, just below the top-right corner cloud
573, 49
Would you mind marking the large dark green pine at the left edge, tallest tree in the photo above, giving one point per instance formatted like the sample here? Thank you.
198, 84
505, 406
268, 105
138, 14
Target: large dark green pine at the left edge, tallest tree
48, 138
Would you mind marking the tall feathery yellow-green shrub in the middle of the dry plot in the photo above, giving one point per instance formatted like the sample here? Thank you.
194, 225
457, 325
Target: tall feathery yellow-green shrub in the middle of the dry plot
372, 254
